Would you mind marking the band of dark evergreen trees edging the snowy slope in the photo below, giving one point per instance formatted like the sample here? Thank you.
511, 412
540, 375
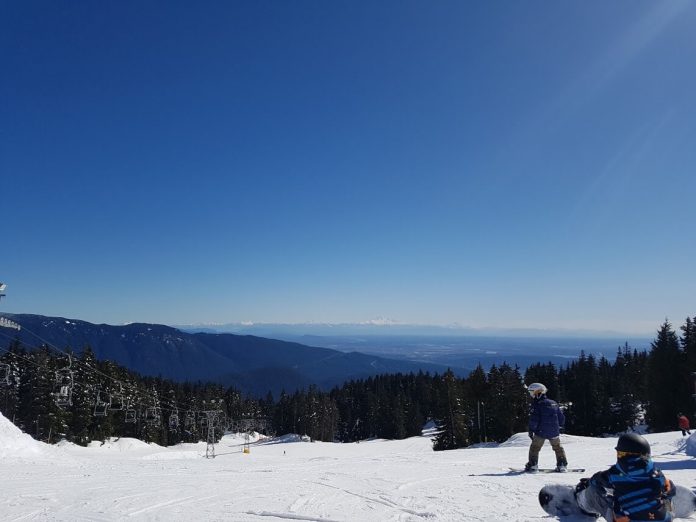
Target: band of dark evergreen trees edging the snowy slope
599, 397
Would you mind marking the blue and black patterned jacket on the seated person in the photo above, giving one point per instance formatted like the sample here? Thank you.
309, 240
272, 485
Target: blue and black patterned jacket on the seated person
639, 489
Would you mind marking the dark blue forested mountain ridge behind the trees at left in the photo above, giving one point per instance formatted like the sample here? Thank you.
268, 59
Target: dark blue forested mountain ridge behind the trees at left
253, 364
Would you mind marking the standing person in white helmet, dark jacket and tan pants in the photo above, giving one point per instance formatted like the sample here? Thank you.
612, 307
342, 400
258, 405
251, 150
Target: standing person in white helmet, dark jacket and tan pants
545, 422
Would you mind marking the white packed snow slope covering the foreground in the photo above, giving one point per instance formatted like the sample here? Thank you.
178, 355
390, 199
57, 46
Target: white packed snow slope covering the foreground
291, 479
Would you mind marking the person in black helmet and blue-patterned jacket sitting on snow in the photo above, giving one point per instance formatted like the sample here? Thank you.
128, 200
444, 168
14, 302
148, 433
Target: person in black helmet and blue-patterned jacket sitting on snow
639, 490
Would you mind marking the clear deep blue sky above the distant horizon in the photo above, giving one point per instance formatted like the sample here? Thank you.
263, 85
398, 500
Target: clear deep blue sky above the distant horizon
511, 164
